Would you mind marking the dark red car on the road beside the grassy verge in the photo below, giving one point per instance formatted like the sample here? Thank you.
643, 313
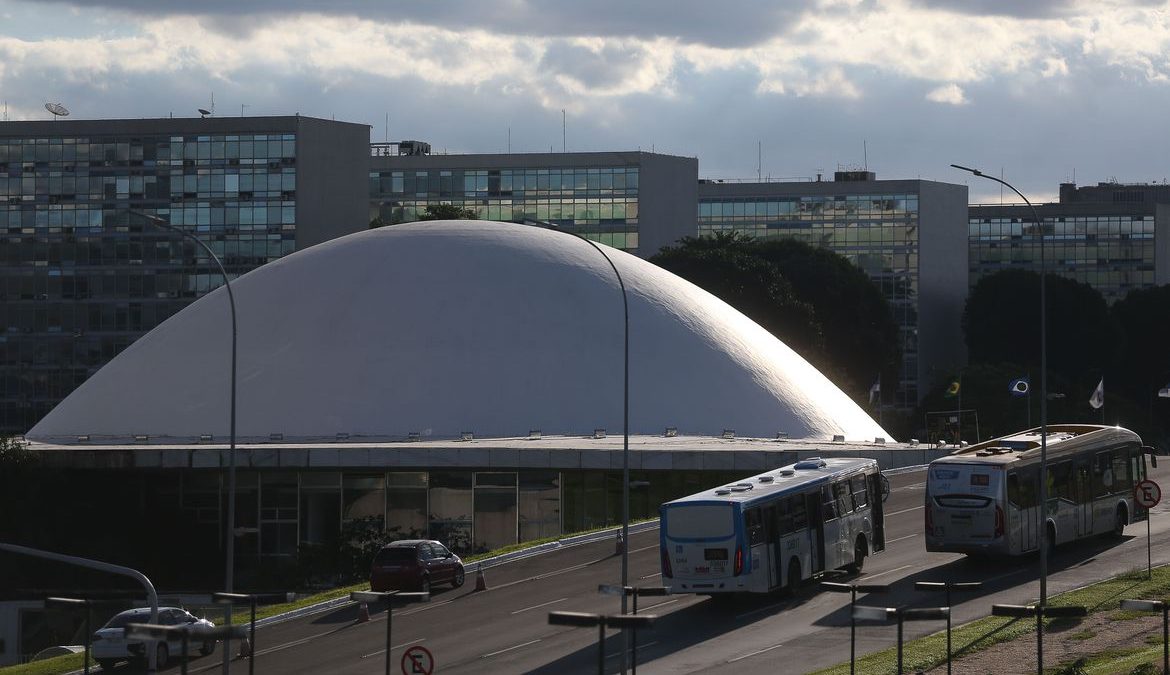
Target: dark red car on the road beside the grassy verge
415, 566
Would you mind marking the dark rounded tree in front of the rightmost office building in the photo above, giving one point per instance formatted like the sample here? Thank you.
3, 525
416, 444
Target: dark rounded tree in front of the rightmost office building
1002, 323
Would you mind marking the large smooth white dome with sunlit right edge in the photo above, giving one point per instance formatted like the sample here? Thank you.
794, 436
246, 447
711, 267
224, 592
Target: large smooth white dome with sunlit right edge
449, 327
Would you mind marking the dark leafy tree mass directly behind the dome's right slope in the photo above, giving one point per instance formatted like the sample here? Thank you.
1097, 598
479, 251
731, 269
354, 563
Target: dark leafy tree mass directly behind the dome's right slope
814, 300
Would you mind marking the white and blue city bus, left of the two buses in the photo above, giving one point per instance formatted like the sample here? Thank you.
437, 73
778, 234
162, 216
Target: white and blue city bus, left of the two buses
774, 531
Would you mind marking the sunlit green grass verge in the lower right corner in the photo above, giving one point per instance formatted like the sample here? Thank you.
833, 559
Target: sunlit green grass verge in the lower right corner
930, 652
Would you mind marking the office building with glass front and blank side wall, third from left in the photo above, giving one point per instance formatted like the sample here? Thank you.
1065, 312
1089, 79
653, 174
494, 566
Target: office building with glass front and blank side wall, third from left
907, 236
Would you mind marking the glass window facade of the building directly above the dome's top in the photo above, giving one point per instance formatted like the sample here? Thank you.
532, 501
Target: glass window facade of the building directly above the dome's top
597, 203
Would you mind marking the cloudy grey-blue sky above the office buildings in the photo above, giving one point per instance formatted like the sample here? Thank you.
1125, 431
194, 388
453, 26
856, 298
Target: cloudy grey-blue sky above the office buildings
1042, 91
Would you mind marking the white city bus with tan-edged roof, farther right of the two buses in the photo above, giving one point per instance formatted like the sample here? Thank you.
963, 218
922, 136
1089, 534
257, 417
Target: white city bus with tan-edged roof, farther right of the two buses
986, 499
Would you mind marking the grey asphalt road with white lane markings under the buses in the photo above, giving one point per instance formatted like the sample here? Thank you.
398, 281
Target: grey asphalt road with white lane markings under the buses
505, 630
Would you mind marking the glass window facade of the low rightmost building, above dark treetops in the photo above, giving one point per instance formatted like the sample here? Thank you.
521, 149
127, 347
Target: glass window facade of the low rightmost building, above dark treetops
1114, 254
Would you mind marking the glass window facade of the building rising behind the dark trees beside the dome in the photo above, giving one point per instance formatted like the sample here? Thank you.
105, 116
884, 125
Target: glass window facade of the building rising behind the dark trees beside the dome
879, 233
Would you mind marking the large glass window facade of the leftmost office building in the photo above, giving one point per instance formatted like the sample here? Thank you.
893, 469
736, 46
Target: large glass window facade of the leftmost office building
81, 278
